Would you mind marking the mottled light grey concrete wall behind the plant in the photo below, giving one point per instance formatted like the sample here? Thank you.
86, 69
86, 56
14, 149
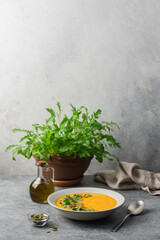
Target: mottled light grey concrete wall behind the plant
98, 53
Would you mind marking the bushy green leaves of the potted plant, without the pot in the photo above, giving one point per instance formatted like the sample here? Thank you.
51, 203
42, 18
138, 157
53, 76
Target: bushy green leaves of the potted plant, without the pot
81, 134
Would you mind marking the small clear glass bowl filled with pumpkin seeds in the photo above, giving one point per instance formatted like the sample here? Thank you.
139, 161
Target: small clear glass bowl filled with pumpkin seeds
38, 220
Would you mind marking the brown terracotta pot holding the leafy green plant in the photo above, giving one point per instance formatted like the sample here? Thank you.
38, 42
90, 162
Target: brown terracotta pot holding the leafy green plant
67, 169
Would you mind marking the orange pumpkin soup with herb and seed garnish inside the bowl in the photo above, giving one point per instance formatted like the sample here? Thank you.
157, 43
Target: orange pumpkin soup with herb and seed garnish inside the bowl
87, 202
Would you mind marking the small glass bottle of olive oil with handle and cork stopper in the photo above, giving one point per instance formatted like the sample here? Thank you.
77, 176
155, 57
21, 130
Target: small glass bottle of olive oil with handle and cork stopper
43, 185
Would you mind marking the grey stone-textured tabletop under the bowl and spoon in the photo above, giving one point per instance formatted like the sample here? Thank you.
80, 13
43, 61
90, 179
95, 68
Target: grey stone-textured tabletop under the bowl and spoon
15, 204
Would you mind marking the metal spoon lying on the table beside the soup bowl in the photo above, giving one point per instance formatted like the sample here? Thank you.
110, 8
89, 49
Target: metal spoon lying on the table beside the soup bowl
134, 209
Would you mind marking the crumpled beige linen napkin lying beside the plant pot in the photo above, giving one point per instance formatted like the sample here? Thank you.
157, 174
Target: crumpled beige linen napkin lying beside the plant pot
130, 176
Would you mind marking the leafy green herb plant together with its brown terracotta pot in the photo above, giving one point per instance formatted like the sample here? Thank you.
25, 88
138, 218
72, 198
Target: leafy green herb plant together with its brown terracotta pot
68, 143
